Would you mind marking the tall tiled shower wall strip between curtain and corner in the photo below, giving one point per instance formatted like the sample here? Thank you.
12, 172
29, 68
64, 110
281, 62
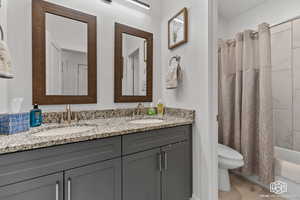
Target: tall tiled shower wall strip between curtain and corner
282, 85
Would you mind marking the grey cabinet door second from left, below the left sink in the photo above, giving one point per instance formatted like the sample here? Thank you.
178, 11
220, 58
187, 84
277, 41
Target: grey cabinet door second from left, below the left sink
100, 181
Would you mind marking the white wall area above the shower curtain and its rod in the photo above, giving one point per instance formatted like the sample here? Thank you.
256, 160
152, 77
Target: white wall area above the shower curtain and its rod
272, 12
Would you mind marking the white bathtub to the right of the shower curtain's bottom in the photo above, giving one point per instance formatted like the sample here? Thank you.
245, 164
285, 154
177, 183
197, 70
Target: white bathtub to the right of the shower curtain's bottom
287, 168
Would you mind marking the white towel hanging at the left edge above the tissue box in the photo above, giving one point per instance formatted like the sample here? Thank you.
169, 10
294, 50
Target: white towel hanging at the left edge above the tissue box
5, 60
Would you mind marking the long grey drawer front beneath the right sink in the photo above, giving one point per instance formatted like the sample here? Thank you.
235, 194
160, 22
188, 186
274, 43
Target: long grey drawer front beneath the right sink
153, 139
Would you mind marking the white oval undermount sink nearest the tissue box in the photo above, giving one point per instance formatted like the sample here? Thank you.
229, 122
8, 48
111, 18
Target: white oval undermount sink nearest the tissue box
65, 130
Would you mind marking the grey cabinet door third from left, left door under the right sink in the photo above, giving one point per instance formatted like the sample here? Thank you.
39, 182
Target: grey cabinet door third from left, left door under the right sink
142, 176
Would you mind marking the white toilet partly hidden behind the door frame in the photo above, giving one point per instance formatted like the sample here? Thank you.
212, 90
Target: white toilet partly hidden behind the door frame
228, 159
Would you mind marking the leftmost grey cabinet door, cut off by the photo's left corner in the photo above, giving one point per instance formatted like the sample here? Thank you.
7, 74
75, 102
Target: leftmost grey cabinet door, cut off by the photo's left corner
44, 188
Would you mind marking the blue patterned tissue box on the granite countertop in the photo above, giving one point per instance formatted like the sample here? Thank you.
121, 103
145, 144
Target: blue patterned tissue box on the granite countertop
14, 123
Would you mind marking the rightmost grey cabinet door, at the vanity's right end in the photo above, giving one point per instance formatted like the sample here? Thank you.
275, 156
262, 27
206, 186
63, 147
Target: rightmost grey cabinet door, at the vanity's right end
176, 175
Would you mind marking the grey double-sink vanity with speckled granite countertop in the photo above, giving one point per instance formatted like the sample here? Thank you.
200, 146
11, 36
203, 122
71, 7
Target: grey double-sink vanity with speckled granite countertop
118, 160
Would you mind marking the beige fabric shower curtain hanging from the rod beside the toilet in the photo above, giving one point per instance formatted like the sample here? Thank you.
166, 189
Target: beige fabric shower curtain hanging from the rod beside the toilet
246, 111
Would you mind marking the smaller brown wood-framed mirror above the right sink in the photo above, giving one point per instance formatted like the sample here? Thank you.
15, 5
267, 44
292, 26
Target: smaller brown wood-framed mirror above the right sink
133, 65
